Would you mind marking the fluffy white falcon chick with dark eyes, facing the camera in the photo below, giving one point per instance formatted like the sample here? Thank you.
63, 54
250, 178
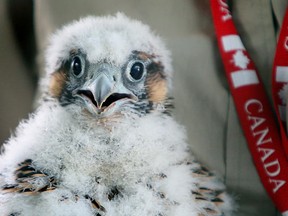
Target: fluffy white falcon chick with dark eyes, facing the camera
103, 142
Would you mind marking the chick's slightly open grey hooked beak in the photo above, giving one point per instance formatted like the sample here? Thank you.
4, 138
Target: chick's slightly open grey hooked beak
103, 93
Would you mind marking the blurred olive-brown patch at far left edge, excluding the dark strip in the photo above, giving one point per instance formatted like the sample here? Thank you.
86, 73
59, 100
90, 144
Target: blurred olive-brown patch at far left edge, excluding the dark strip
16, 85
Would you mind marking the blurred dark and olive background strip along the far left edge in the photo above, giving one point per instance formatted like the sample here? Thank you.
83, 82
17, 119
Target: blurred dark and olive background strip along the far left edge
17, 58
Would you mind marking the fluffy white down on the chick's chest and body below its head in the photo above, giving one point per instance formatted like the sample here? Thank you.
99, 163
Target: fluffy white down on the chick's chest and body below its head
118, 169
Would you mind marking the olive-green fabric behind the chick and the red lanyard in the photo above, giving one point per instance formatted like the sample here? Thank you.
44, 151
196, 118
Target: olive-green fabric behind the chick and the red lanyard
203, 102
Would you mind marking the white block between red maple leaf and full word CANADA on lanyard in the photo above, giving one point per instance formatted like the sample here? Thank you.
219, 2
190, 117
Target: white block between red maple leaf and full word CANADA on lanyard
244, 78
